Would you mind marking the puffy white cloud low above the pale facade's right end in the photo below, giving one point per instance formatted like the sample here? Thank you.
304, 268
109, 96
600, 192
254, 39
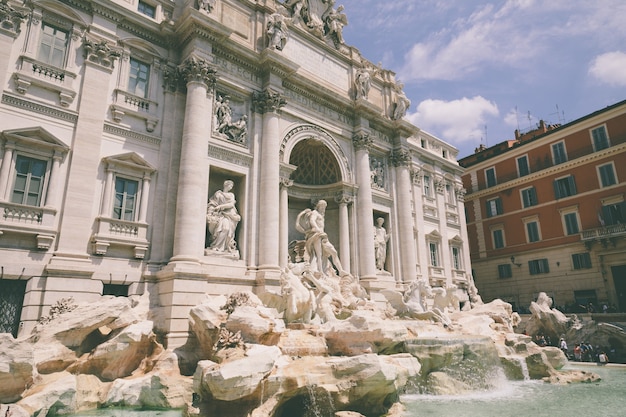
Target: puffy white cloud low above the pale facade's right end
456, 121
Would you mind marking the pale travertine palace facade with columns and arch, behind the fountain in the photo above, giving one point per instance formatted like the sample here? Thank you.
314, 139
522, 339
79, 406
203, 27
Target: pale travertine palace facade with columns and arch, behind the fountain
169, 146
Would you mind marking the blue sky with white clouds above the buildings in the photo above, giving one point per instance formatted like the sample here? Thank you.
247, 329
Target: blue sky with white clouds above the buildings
476, 70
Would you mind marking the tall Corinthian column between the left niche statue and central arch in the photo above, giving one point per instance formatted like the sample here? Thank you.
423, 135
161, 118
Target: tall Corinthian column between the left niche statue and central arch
268, 103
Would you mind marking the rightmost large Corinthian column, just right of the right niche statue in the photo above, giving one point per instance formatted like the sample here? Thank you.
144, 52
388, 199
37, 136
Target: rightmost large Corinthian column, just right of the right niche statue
401, 159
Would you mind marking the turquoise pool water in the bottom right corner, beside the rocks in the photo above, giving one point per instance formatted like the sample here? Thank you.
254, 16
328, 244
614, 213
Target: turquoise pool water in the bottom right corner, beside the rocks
532, 398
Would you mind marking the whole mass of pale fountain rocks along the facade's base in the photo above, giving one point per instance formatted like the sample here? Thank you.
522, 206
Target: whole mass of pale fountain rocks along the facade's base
248, 362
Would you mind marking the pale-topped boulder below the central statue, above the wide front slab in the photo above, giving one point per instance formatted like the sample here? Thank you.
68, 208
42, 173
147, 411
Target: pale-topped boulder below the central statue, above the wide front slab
364, 332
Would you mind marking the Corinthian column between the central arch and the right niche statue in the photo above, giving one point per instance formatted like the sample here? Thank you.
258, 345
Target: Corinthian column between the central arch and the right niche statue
367, 263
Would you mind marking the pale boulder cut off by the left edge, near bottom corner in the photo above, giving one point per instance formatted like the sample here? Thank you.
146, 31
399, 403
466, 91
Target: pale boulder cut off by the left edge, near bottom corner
16, 368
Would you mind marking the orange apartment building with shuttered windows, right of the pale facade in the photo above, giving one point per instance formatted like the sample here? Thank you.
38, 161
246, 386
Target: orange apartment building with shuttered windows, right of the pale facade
546, 212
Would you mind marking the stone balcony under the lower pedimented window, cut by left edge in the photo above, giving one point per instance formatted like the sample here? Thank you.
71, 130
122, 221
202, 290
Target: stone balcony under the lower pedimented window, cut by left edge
29, 220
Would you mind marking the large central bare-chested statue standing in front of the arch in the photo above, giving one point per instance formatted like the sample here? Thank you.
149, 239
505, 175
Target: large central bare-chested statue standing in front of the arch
319, 249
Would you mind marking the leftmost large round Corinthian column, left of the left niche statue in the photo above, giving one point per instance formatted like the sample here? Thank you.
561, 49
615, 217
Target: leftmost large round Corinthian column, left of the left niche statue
190, 225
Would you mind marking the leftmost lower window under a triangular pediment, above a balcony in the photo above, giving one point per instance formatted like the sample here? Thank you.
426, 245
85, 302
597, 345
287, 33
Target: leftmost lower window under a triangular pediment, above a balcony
29, 181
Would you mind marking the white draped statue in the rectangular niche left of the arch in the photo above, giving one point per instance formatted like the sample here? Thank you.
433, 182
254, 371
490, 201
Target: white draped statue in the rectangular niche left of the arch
222, 219
